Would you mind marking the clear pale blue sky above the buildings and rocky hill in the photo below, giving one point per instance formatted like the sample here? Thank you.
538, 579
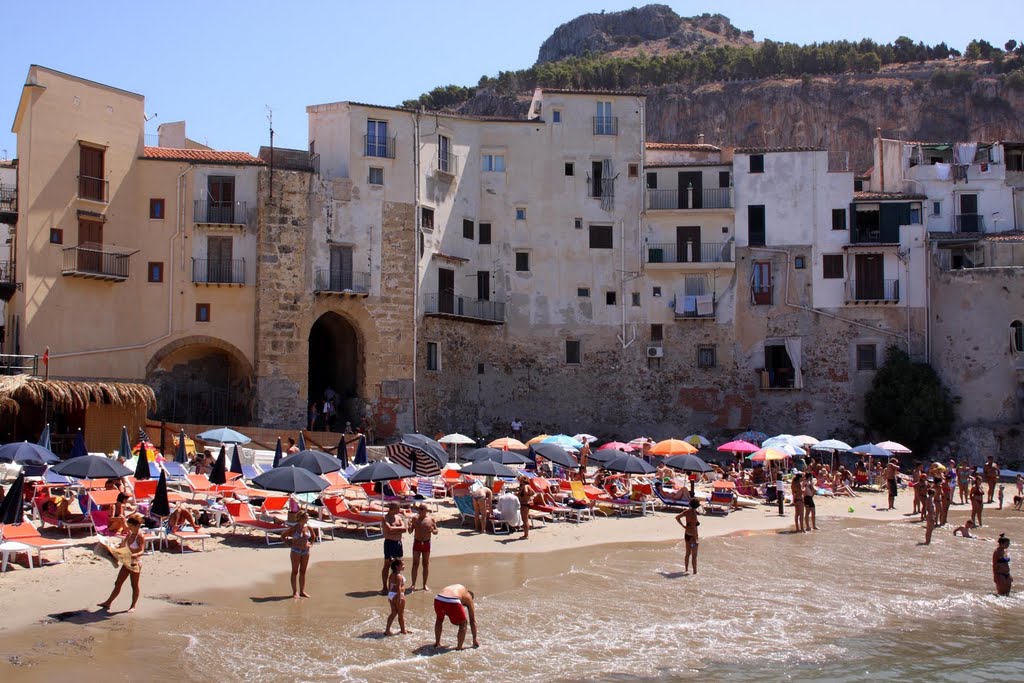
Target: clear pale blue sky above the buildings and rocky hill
219, 65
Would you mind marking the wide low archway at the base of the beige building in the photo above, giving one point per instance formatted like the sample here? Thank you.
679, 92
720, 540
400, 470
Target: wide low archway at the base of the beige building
202, 380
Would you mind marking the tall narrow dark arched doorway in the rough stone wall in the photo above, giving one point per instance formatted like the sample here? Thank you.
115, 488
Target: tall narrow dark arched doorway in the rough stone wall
335, 370
